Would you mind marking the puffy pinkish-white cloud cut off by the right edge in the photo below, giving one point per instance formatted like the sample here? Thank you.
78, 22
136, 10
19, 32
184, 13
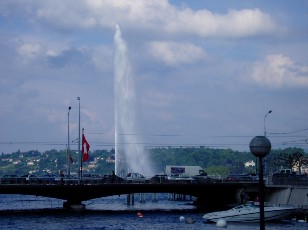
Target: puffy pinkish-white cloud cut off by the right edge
279, 71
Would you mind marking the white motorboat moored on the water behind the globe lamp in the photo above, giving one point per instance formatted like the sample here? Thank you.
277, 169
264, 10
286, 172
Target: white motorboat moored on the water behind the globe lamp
249, 213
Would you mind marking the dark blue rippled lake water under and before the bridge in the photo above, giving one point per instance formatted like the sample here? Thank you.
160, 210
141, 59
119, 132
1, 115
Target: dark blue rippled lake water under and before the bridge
30, 212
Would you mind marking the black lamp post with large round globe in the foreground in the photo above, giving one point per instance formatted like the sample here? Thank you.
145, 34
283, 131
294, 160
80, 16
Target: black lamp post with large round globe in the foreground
260, 146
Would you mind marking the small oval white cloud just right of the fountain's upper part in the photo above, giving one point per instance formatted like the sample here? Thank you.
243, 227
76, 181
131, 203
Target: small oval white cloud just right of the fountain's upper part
175, 53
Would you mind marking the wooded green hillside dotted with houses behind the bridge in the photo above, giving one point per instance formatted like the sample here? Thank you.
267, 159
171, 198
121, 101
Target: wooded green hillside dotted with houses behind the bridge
214, 161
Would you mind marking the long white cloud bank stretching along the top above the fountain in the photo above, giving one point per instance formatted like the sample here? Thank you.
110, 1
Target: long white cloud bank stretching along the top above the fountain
154, 16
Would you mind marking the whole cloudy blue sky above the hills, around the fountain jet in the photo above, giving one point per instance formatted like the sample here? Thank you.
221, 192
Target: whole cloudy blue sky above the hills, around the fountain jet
205, 73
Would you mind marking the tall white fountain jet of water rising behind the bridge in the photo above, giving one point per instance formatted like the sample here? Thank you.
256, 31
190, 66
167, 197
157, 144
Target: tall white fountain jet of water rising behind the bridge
130, 154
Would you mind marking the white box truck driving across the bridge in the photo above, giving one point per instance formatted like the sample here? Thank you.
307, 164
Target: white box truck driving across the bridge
185, 170
